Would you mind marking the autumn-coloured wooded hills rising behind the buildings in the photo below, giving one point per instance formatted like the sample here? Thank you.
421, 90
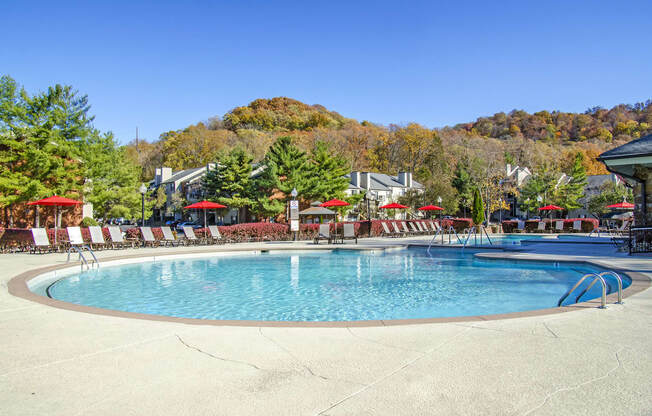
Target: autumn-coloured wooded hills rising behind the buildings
535, 140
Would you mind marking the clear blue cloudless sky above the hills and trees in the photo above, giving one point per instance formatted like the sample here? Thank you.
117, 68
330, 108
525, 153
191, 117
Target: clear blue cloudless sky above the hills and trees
164, 65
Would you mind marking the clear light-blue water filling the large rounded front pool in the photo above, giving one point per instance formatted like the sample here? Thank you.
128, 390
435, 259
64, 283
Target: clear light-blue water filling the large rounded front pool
324, 286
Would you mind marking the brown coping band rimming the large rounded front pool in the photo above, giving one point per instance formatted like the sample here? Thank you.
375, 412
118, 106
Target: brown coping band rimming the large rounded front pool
17, 286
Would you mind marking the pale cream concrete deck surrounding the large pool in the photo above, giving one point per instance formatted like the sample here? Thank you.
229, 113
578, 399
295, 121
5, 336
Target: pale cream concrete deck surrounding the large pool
590, 361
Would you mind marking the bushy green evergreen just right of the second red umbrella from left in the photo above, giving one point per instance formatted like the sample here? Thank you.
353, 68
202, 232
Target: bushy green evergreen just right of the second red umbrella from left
230, 182
